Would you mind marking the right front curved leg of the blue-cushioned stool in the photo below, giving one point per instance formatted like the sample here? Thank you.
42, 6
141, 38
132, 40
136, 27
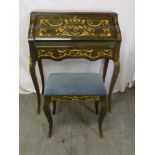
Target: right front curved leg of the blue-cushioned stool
102, 114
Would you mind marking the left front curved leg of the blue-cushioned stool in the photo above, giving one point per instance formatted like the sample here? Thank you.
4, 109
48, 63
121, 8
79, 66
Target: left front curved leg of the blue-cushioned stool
46, 107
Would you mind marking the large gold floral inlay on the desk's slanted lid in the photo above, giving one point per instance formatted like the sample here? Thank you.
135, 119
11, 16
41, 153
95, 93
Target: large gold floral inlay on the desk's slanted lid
73, 27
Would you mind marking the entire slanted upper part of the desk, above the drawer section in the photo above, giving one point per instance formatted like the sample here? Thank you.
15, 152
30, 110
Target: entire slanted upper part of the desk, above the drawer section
70, 26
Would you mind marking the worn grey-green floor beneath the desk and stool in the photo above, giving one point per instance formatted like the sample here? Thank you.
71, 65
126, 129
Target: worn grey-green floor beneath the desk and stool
75, 130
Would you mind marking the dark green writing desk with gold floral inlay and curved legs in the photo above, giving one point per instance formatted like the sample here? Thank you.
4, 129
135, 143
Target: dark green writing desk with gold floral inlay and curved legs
58, 36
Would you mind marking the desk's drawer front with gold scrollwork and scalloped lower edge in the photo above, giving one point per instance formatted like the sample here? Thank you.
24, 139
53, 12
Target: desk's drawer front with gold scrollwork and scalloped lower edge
87, 53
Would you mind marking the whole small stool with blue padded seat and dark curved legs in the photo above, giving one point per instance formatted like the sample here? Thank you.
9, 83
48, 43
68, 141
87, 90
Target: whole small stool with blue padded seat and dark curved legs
75, 86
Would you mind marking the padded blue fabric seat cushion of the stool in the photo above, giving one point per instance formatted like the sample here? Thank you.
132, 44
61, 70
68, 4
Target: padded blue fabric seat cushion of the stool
79, 84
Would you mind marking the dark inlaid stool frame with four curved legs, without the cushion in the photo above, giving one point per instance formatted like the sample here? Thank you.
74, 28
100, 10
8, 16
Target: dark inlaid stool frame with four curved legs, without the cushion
98, 99
